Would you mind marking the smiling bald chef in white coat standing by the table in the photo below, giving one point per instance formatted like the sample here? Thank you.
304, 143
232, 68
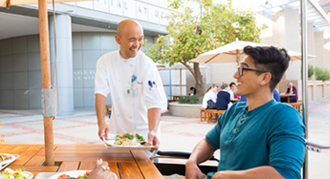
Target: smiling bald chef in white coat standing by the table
135, 87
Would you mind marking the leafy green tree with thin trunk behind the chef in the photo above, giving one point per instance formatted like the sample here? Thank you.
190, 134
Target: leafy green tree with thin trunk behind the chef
189, 35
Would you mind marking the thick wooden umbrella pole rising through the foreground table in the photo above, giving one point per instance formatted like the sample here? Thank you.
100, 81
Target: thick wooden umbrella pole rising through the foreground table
46, 79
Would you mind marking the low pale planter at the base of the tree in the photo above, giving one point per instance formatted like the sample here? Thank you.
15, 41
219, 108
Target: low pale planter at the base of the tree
185, 110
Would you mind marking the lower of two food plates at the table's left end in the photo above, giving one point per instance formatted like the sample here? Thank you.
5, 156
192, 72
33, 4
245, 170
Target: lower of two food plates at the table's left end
19, 173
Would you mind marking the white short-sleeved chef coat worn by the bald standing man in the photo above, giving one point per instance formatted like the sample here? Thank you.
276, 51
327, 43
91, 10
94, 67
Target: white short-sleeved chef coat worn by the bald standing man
130, 112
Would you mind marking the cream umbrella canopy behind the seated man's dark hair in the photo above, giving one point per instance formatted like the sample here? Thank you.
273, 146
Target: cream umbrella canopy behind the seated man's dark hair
233, 52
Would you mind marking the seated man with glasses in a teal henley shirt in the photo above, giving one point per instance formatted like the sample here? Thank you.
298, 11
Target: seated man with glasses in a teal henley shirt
260, 138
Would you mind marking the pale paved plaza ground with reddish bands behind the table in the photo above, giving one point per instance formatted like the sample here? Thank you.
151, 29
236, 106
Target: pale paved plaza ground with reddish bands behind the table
178, 133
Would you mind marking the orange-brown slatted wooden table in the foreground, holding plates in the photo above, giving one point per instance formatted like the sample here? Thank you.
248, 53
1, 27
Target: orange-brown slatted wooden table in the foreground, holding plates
124, 163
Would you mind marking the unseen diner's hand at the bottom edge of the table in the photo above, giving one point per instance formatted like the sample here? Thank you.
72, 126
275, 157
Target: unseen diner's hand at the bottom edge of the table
101, 171
